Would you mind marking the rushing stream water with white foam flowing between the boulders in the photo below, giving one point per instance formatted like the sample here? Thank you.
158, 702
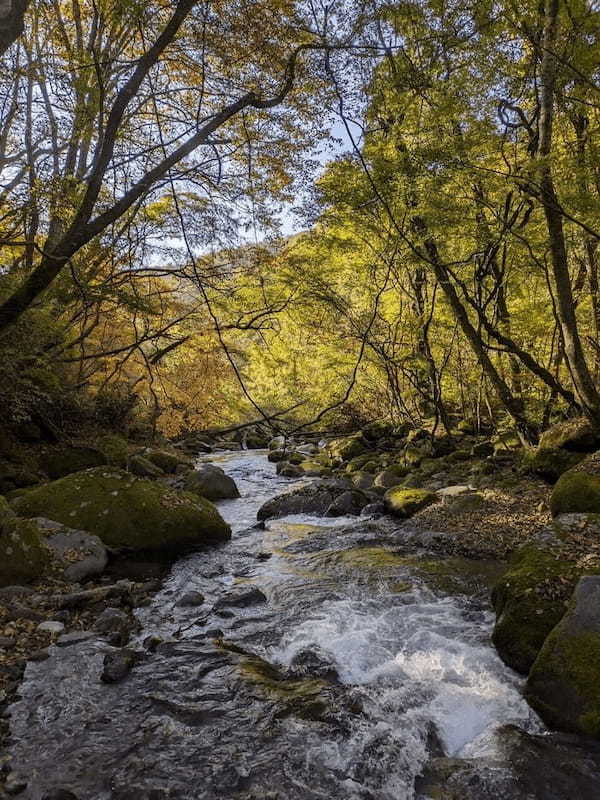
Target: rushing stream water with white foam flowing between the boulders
329, 660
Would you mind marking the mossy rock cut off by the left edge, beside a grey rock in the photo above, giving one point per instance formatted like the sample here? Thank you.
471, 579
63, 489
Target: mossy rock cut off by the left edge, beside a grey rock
23, 554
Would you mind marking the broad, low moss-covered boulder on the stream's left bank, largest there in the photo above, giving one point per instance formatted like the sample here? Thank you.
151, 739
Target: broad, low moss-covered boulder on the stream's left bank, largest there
126, 512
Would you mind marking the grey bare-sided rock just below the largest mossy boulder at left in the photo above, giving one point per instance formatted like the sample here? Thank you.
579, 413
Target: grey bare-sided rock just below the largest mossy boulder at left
82, 554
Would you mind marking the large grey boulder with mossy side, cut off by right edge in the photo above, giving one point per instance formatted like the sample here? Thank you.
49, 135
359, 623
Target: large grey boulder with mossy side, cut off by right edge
564, 683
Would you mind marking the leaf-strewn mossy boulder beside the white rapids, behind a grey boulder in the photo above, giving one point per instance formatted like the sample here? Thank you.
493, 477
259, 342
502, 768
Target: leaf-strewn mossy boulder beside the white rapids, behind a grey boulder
527, 604
